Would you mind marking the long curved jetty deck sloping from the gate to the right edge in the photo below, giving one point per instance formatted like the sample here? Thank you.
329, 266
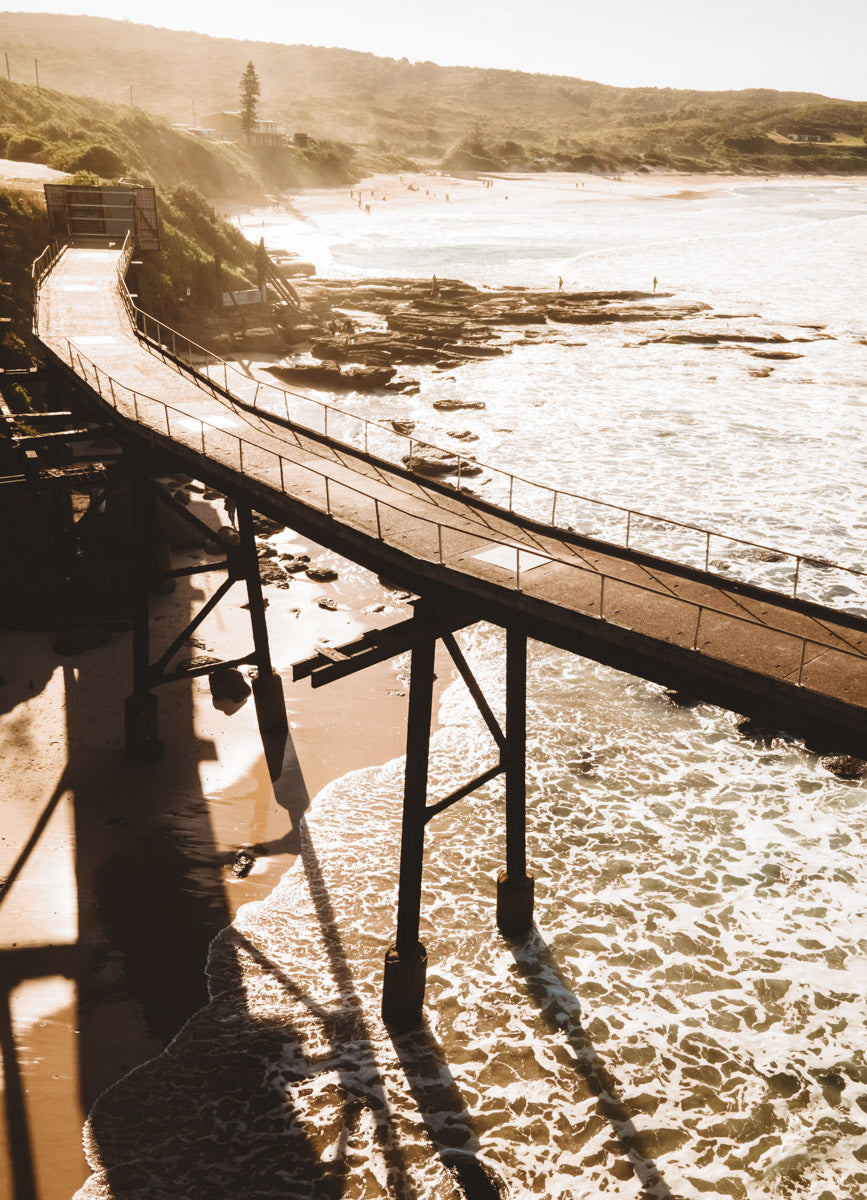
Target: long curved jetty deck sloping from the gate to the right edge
785, 661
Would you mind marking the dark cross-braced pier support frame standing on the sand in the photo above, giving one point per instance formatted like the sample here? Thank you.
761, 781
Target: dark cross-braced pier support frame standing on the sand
153, 573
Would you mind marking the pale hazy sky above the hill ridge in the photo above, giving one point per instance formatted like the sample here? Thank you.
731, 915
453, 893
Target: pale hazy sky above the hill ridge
793, 45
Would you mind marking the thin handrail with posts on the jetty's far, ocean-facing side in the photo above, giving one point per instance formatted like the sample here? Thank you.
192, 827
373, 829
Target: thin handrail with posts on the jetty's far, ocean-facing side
169, 344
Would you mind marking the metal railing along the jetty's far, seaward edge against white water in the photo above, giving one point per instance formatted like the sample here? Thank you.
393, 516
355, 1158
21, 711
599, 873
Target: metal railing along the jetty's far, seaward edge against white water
784, 572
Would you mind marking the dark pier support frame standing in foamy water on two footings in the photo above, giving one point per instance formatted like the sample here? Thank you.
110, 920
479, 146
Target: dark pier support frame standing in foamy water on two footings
406, 961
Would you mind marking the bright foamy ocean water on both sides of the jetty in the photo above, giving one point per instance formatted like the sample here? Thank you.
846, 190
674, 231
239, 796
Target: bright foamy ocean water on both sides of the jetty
687, 1018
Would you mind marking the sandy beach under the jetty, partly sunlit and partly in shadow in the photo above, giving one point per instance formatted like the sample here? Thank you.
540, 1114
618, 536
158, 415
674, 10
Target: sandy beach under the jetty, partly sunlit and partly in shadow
117, 875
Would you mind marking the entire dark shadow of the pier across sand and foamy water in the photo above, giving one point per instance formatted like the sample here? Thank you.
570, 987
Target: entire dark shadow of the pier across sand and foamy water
246, 1101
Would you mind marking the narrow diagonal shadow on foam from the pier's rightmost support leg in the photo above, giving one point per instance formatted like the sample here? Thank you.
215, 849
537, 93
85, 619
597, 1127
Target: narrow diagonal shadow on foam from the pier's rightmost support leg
561, 1011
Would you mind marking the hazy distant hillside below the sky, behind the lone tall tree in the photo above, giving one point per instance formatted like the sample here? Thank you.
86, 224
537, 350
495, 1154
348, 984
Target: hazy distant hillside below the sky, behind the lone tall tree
459, 116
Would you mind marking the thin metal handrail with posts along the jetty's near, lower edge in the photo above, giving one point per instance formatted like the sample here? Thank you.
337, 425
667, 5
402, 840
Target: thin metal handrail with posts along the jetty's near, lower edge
112, 393
